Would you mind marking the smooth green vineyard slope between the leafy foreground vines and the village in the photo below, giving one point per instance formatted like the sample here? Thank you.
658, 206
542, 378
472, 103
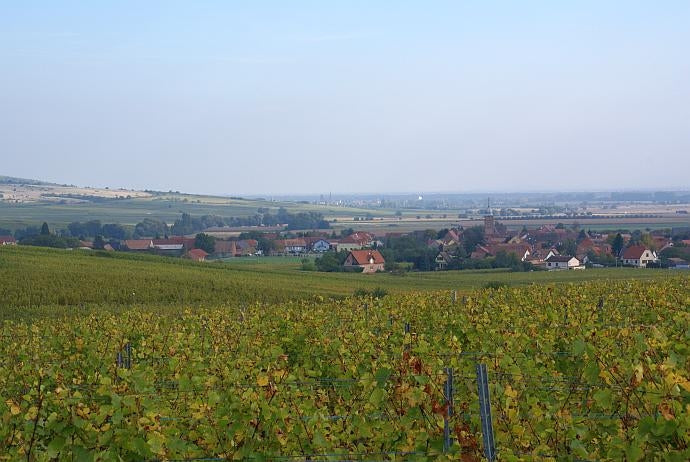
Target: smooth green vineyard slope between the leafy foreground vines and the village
34, 277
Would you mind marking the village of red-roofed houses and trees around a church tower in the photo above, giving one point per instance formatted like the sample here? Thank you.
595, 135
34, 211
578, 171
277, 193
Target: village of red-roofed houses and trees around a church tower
548, 247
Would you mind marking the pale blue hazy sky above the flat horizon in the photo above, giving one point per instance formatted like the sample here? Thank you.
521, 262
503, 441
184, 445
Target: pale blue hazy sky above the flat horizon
324, 96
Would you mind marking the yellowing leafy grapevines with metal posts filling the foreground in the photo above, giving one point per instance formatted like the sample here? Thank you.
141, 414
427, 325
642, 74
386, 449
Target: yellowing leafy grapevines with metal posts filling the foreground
589, 371
